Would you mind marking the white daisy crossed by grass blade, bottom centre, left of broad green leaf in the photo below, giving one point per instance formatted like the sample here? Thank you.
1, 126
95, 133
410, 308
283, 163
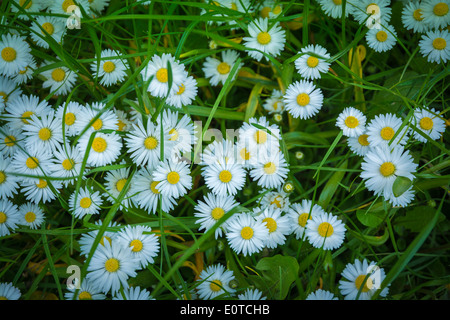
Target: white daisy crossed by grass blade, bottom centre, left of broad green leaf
214, 281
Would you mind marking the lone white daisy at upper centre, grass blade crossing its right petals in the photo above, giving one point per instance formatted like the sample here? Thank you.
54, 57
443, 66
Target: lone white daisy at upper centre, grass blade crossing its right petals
218, 71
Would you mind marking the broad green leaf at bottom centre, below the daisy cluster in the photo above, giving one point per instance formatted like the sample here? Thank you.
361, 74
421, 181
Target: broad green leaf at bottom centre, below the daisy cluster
279, 273
